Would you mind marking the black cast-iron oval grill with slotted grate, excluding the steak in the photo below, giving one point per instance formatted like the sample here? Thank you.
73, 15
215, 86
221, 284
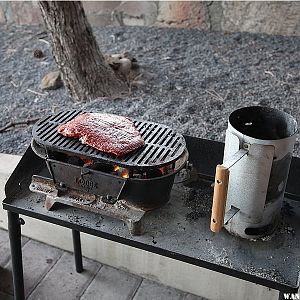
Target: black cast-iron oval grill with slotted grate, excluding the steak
163, 147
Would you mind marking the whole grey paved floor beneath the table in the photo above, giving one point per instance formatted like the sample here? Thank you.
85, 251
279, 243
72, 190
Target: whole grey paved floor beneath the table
48, 275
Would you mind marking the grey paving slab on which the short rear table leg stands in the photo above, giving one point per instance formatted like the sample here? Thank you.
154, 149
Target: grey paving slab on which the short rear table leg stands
63, 282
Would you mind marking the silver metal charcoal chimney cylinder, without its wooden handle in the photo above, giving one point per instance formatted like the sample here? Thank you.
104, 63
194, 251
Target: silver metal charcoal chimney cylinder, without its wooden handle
257, 181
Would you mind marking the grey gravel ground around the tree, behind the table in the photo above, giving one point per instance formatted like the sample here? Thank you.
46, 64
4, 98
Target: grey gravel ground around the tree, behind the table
195, 79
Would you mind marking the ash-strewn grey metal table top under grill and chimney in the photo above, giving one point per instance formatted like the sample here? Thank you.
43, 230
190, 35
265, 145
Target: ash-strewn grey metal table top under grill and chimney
180, 229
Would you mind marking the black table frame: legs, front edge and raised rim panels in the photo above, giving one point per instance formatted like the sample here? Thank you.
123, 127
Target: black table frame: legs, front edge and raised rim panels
210, 153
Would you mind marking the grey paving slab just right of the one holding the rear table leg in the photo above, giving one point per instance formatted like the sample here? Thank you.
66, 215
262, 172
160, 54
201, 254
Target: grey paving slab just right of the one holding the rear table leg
112, 284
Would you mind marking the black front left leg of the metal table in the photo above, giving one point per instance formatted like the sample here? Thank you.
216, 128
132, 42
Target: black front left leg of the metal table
14, 231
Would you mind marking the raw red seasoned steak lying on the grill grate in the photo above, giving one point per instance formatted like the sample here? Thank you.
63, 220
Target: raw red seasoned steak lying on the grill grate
105, 132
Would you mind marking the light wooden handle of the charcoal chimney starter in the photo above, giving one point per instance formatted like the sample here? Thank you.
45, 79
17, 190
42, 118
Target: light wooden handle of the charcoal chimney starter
219, 198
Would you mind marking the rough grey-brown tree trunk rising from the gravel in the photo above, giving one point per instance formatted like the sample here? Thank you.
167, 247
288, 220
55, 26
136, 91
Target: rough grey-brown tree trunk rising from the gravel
84, 70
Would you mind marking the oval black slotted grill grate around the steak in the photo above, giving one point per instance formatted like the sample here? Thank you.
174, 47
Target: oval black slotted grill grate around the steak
162, 144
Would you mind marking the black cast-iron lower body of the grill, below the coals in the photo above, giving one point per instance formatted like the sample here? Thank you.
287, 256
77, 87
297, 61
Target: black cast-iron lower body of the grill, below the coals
146, 194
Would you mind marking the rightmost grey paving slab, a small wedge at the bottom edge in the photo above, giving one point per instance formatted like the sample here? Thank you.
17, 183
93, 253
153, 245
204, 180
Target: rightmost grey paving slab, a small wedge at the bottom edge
150, 290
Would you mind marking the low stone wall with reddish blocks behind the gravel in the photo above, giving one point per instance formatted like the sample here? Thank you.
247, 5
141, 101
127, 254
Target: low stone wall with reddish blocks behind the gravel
266, 17
